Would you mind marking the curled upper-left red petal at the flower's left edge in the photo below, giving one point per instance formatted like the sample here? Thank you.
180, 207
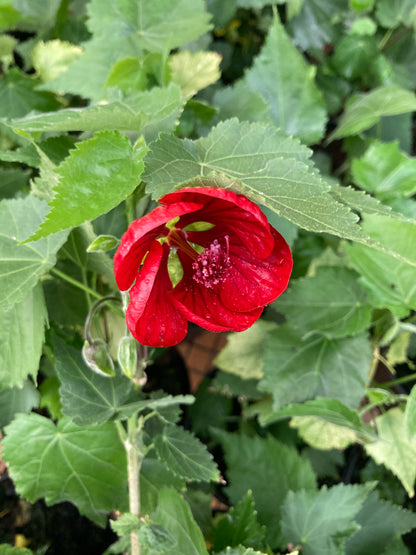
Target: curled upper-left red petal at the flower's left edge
138, 238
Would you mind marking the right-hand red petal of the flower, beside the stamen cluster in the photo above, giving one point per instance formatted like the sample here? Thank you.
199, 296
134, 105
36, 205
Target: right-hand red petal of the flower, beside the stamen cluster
252, 282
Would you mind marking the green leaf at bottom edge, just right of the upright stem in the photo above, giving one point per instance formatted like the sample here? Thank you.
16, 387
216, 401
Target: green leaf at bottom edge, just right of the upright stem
174, 514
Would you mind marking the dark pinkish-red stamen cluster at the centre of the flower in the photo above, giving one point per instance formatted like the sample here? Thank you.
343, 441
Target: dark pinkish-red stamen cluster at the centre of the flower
211, 264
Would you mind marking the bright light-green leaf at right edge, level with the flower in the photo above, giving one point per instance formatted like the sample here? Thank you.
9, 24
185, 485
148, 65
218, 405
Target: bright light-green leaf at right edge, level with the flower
389, 281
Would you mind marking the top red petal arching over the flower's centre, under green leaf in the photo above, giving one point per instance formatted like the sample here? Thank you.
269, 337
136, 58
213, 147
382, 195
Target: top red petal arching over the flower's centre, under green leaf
229, 211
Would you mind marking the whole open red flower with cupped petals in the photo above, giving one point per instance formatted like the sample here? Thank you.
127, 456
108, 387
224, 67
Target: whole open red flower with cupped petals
233, 265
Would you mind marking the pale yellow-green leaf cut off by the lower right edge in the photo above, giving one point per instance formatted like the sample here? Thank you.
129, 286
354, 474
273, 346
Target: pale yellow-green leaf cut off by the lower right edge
394, 449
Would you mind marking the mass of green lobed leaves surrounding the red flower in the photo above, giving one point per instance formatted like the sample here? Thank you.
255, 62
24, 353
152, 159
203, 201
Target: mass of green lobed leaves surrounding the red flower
307, 430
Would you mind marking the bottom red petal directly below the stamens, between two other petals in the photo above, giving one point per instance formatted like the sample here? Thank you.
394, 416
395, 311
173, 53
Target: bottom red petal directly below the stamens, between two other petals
204, 307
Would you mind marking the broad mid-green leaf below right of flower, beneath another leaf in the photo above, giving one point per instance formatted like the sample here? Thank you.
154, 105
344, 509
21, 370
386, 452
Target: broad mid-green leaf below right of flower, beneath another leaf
297, 368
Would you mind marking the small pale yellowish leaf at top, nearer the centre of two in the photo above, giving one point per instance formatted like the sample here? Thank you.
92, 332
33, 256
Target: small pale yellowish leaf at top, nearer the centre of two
194, 72
